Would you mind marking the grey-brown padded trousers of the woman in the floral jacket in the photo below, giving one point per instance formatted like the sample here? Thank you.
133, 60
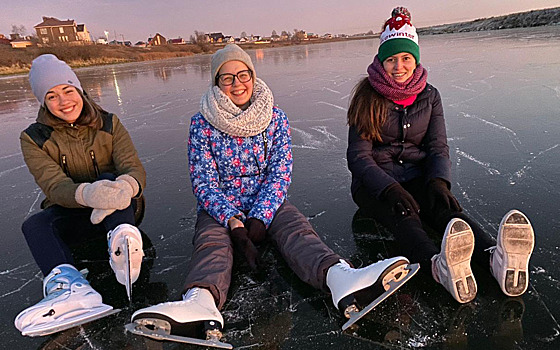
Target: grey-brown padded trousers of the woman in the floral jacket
212, 260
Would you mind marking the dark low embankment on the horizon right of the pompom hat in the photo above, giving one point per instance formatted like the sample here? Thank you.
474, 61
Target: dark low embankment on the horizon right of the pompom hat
533, 18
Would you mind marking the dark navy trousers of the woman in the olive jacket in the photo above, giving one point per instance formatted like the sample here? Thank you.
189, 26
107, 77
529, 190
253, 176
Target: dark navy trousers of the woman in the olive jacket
50, 232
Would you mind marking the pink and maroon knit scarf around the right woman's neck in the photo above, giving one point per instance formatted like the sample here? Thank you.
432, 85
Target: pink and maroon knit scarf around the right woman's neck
392, 90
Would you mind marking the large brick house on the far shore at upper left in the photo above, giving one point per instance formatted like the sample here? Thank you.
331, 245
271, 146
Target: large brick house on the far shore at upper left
53, 31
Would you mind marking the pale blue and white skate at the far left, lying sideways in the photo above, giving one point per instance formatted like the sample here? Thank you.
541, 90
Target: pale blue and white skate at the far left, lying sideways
68, 301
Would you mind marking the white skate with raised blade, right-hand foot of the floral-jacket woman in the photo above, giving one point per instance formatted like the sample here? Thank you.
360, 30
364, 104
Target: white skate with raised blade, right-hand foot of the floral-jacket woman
355, 292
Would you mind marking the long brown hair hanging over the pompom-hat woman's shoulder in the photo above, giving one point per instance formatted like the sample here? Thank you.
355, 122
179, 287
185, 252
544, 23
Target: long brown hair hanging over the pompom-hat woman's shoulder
367, 111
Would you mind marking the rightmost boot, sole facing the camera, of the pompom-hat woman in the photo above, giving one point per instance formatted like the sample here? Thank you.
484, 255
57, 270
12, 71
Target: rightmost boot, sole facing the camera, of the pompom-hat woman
509, 260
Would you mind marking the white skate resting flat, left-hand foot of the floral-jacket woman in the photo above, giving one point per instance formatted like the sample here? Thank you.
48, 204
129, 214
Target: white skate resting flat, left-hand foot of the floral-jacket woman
185, 321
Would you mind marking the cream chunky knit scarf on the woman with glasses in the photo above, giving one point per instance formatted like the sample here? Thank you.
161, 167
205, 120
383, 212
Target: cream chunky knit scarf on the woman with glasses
225, 116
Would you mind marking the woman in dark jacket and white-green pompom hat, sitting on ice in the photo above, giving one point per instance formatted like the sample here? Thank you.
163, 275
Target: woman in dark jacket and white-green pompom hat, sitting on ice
401, 173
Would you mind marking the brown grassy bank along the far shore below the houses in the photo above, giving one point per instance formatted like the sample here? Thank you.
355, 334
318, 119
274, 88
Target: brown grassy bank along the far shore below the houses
18, 61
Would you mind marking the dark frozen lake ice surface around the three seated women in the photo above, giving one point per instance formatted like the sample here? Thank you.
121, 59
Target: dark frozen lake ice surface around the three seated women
501, 94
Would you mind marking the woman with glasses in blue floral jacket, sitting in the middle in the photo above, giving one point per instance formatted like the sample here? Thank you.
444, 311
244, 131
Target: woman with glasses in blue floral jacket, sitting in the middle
240, 160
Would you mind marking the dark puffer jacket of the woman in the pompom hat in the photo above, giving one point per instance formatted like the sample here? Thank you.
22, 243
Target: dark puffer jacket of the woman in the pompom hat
414, 144
